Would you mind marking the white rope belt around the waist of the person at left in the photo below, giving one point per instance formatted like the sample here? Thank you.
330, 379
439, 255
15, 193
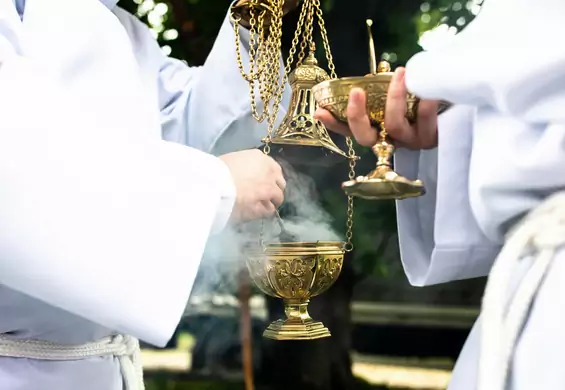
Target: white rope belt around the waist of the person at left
124, 348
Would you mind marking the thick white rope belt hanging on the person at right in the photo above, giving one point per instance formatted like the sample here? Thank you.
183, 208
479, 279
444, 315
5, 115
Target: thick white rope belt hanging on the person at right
541, 234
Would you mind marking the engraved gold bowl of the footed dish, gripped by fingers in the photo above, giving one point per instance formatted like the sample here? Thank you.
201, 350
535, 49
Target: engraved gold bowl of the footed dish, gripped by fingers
333, 95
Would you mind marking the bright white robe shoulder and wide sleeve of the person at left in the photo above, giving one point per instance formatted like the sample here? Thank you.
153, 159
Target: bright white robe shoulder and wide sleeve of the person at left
97, 216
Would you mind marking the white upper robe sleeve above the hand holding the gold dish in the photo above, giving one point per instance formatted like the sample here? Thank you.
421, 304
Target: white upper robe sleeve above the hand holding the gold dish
484, 64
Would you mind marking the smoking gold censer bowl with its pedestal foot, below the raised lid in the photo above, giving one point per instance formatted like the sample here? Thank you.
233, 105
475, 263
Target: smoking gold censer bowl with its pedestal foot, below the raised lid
295, 272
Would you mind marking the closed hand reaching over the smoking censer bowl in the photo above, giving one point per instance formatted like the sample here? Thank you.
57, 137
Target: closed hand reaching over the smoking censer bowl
259, 184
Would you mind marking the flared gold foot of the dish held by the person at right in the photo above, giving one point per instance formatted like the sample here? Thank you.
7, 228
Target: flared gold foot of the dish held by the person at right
383, 184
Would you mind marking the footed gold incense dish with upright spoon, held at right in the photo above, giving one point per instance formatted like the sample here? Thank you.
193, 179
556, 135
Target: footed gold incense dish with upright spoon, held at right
333, 95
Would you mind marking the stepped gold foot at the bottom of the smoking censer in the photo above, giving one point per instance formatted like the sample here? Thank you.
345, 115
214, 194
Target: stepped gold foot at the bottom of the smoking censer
286, 330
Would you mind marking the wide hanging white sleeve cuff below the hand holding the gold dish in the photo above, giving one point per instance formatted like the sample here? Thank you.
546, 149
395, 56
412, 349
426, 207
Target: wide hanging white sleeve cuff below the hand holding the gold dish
440, 240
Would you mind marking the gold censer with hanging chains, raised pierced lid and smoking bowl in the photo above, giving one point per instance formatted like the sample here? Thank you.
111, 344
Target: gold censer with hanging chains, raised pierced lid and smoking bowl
292, 271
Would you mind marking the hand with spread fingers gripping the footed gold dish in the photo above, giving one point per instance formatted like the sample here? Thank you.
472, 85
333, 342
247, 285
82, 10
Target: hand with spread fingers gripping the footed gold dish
421, 135
